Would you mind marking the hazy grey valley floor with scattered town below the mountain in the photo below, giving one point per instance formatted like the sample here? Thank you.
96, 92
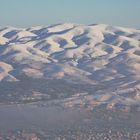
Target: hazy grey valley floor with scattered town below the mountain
37, 122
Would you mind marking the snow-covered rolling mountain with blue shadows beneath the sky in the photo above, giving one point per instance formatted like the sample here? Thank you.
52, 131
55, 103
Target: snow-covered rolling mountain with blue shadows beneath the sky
99, 55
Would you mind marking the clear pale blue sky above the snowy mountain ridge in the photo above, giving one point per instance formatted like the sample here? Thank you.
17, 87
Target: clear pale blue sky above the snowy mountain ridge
23, 13
